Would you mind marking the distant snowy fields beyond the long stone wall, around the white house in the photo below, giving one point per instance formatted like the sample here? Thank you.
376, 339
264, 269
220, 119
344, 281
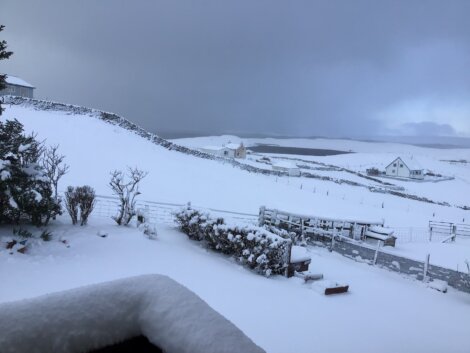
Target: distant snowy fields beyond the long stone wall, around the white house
369, 155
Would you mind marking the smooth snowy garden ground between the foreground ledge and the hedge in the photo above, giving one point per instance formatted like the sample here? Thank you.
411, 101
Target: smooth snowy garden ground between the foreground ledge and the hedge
383, 311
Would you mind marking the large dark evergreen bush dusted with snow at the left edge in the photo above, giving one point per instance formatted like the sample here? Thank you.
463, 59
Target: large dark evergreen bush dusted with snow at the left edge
25, 191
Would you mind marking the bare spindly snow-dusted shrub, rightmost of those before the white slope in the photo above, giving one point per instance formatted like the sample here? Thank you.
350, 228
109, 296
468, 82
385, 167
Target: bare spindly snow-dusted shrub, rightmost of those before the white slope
127, 191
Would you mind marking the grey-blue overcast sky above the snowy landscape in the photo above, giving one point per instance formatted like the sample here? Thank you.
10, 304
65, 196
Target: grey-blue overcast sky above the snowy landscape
307, 68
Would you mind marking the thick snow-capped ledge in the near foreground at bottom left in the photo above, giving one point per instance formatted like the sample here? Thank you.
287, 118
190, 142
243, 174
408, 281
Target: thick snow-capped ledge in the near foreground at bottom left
79, 320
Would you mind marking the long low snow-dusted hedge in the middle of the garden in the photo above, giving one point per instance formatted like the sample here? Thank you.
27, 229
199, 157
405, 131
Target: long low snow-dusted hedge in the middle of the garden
253, 246
